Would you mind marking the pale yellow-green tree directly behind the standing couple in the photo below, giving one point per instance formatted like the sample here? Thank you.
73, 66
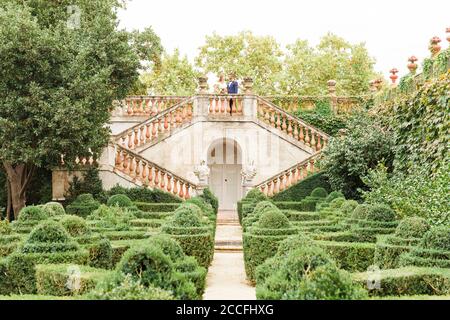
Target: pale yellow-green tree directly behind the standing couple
246, 55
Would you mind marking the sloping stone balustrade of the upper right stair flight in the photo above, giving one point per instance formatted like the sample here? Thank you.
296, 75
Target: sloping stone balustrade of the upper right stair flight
290, 125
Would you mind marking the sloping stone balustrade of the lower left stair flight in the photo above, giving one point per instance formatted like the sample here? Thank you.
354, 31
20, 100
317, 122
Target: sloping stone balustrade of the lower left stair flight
150, 174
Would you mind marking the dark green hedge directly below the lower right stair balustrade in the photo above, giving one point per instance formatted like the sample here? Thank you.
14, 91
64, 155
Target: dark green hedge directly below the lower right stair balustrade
304, 188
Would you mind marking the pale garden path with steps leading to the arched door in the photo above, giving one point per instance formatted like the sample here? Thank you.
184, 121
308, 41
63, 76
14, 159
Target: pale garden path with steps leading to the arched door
226, 278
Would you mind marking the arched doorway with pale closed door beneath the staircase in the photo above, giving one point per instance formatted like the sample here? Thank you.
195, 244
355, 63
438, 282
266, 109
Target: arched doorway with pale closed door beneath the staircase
225, 162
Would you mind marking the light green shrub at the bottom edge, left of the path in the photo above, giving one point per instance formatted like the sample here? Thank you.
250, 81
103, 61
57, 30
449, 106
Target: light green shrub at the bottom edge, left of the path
124, 287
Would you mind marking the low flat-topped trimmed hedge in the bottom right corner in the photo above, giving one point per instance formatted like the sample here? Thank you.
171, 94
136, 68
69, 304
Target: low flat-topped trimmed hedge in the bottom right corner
409, 281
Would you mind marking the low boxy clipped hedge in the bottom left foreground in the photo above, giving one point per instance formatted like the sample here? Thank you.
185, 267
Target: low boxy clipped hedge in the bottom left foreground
66, 279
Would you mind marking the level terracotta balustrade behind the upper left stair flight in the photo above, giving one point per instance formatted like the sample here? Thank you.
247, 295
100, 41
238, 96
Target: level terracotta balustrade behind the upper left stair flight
145, 105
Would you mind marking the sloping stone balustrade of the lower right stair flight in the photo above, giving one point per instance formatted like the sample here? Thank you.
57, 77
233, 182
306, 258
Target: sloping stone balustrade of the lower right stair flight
288, 177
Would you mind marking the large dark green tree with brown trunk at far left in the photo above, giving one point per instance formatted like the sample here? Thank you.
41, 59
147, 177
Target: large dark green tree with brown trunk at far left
60, 68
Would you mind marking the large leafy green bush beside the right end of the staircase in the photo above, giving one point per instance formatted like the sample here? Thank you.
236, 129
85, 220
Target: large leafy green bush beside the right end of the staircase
348, 158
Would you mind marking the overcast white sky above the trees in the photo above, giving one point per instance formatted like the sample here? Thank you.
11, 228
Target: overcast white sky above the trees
393, 30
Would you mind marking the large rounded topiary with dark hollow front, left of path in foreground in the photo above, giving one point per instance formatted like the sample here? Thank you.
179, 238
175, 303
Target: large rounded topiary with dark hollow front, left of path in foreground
148, 264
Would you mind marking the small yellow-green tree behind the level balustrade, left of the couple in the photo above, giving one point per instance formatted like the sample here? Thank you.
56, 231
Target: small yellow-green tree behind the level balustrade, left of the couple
175, 76
